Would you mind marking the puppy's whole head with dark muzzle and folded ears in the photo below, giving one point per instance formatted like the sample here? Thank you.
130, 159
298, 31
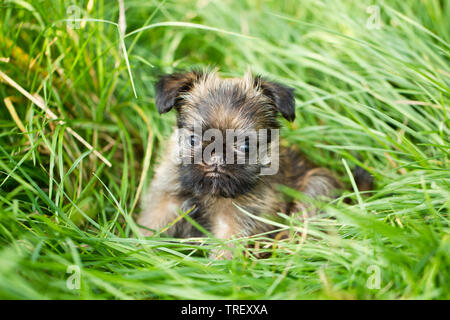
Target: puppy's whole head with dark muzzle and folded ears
220, 122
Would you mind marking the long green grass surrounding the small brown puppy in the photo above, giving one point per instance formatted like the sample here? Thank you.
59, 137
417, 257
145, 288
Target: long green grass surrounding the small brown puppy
378, 98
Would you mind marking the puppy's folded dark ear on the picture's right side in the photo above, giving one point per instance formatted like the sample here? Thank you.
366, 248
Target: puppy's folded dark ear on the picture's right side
281, 95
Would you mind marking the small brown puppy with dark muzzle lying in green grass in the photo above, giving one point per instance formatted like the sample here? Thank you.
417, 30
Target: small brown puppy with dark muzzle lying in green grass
215, 185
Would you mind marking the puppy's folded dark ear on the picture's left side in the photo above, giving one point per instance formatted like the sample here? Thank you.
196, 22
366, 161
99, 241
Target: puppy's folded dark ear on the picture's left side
170, 87
